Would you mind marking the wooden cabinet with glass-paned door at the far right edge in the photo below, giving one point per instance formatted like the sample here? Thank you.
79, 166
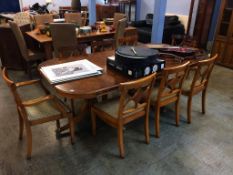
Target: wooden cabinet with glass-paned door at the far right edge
223, 44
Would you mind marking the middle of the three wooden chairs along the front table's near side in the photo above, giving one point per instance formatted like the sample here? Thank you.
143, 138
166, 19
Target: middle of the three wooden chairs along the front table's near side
168, 91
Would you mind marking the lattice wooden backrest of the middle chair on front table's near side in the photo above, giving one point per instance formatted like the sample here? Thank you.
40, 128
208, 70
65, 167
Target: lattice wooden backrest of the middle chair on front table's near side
171, 83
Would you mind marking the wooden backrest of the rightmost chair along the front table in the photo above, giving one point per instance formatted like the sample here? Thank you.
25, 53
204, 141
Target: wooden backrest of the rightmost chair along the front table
202, 74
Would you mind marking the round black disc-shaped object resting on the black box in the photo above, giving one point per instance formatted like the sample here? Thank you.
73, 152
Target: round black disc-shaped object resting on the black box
135, 56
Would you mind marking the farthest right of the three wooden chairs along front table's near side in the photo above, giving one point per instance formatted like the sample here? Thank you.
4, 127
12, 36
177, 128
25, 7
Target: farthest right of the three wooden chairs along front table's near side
197, 81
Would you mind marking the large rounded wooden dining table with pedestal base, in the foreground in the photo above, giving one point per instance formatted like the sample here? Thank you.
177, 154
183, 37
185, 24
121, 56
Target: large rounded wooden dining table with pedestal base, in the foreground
91, 87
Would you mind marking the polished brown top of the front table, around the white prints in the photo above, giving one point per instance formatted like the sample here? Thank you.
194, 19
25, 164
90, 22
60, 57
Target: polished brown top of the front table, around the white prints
90, 87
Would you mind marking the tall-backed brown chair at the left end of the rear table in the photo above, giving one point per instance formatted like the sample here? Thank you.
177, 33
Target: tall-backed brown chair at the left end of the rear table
30, 57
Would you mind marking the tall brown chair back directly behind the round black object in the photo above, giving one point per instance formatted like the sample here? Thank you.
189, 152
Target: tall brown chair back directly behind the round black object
120, 30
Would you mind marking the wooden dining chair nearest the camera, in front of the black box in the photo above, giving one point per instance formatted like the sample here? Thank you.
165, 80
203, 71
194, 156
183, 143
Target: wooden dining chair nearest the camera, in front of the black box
133, 103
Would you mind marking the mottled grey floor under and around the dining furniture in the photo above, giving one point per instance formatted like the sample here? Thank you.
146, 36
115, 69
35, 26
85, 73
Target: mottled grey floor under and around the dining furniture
204, 148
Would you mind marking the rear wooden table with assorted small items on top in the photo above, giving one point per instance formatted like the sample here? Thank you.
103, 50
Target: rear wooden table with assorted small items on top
46, 41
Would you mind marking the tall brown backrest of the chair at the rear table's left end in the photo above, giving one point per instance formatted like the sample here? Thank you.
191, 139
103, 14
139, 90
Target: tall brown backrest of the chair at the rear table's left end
20, 39
